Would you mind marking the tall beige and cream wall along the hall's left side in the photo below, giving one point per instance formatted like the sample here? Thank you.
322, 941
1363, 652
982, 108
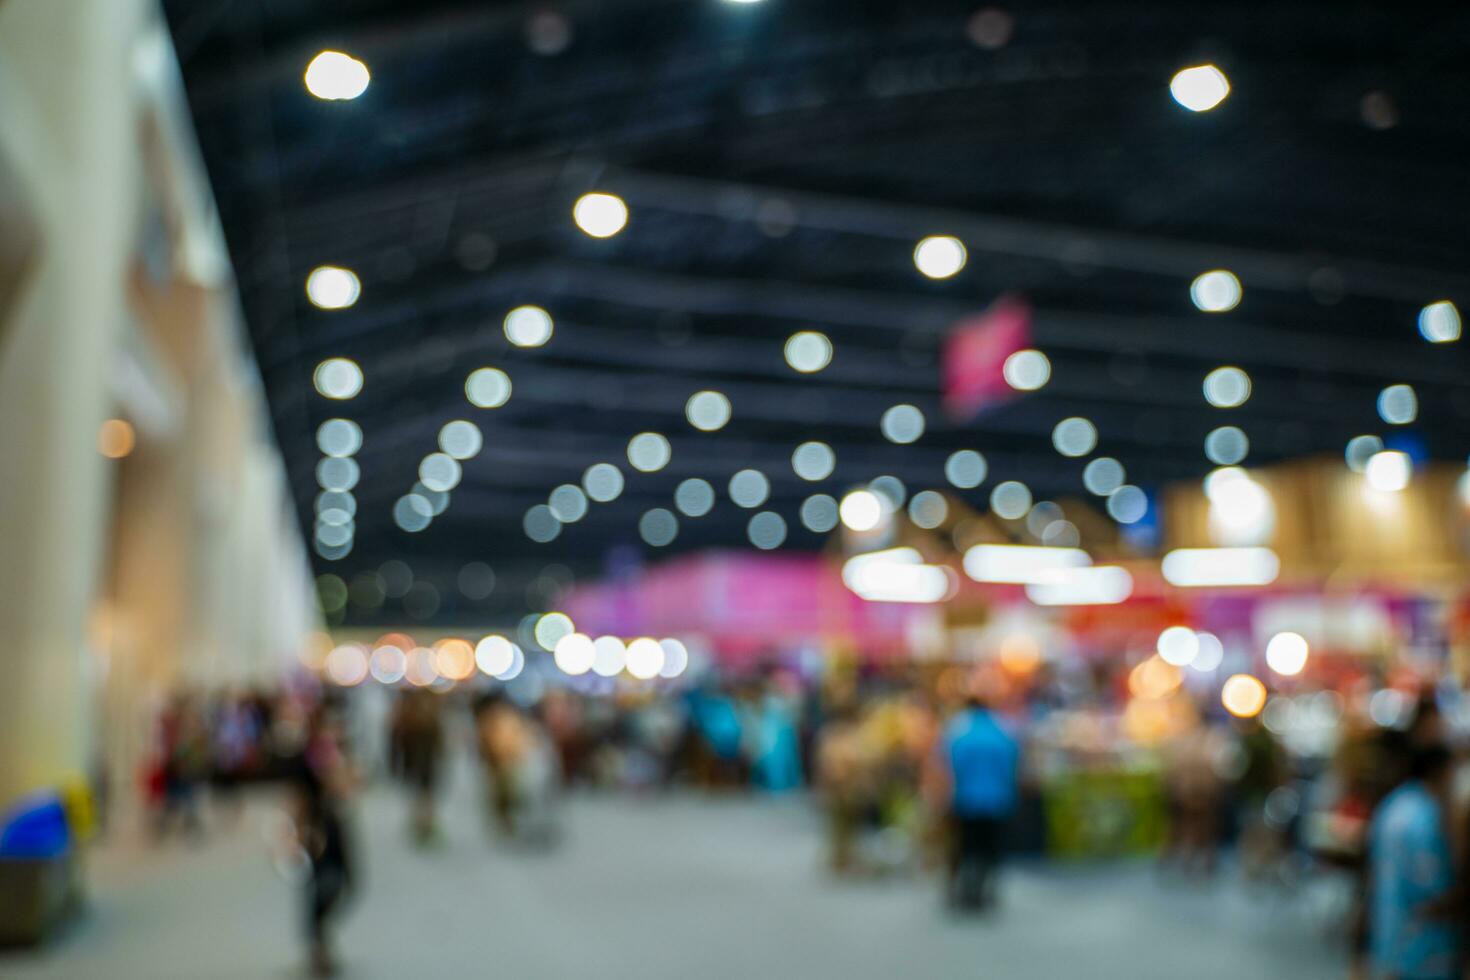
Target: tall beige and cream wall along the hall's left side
180, 565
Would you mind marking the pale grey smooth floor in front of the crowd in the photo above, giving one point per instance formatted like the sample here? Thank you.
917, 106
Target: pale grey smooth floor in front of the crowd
656, 890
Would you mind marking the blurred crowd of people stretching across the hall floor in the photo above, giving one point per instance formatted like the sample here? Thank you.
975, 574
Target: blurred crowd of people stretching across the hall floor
914, 768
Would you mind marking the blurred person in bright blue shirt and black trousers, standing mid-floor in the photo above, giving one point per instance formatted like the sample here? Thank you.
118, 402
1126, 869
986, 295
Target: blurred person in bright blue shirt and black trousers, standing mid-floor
983, 762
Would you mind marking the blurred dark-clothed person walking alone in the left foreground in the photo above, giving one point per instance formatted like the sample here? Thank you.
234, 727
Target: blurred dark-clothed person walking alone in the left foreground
324, 785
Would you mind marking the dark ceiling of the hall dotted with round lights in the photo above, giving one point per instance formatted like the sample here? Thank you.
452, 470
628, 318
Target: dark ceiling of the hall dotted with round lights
1333, 183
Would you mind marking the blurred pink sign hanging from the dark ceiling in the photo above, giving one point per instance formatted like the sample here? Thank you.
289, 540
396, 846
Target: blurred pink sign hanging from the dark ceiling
975, 356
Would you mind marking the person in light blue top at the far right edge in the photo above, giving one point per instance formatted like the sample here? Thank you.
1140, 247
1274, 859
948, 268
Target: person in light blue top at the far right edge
1412, 873
